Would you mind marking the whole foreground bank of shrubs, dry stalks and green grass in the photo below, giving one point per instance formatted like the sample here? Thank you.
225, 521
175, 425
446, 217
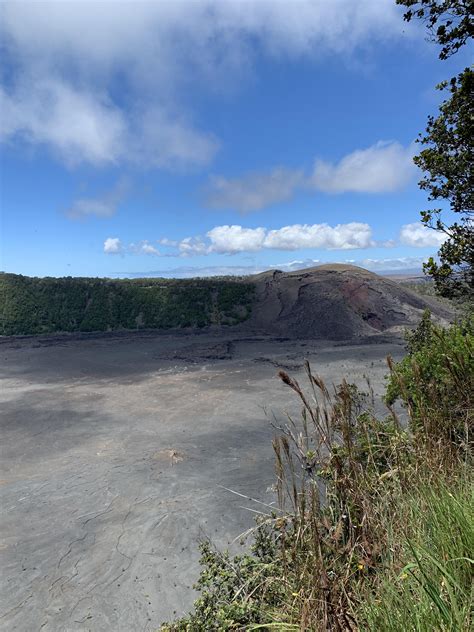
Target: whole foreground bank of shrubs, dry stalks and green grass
373, 529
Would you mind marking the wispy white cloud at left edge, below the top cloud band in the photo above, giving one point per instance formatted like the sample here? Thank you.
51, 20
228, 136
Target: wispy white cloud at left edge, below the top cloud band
82, 127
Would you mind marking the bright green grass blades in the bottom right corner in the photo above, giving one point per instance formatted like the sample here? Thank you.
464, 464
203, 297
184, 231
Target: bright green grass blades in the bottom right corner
433, 590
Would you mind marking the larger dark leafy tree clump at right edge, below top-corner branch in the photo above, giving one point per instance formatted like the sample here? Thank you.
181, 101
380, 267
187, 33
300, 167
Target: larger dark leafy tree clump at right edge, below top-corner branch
448, 163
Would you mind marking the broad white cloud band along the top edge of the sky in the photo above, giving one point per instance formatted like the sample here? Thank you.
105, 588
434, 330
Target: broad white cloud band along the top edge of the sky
171, 32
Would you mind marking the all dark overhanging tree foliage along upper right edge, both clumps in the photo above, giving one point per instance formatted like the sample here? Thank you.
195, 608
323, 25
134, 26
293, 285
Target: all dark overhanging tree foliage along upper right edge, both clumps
447, 157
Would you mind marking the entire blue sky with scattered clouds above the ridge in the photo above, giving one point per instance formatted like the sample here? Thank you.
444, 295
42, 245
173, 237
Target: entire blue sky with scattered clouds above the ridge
213, 136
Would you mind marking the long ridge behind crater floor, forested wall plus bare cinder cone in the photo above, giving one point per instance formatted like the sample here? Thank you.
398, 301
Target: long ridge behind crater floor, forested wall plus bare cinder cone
336, 302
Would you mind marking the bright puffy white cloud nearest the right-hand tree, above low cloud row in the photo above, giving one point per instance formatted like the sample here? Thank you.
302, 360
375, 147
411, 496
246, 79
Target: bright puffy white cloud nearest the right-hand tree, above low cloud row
383, 167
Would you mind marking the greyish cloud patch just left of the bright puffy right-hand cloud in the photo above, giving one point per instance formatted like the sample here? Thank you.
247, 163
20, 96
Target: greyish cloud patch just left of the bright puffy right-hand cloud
254, 191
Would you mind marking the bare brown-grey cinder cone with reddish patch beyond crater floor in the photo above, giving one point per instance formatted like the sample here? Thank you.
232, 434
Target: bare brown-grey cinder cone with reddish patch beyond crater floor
336, 302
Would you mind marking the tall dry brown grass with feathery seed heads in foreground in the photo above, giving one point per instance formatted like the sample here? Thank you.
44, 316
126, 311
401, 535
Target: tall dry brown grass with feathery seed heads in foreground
337, 470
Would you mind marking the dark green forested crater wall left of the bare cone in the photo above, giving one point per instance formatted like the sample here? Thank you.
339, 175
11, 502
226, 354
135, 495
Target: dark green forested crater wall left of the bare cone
35, 306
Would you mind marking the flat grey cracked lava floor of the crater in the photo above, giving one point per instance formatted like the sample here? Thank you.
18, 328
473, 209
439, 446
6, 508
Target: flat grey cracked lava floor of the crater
115, 455
